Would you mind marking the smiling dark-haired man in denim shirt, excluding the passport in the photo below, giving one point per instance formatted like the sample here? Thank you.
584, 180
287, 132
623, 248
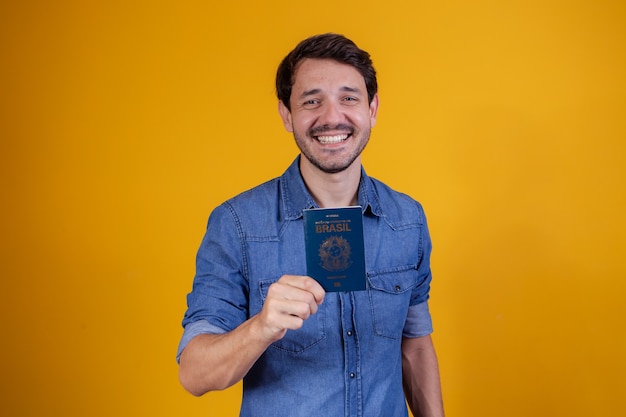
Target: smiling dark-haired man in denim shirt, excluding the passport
253, 314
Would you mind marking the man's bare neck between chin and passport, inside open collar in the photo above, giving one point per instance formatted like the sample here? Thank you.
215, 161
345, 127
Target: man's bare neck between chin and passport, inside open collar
332, 190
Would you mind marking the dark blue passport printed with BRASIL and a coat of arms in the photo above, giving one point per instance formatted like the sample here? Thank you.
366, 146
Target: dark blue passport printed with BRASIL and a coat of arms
335, 251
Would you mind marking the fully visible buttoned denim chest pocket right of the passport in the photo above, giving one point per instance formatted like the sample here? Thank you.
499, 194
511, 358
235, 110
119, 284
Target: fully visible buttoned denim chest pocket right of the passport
390, 296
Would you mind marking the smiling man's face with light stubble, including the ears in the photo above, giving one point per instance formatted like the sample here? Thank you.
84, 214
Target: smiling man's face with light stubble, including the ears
330, 115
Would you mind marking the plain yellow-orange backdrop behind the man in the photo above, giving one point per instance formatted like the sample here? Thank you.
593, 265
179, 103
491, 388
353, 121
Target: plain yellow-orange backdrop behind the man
123, 123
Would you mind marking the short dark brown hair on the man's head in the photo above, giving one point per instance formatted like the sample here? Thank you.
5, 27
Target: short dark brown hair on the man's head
326, 46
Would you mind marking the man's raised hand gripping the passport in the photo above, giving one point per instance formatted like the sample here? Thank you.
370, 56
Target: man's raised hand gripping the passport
289, 302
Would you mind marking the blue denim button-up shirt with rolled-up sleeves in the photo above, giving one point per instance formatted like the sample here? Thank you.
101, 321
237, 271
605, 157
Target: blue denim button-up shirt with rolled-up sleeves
346, 359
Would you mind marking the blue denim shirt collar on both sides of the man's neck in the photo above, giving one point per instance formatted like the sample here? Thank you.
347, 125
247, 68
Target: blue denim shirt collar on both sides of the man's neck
296, 198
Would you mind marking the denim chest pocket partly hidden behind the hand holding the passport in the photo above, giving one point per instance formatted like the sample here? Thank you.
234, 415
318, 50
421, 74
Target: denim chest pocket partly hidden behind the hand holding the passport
313, 329
